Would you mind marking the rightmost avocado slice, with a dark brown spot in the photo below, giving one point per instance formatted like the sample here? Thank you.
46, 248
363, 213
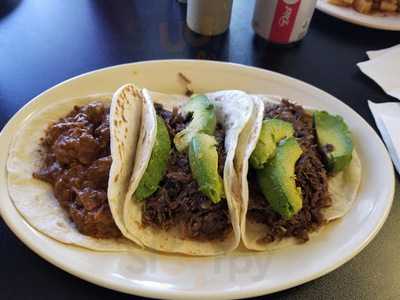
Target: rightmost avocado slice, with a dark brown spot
334, 140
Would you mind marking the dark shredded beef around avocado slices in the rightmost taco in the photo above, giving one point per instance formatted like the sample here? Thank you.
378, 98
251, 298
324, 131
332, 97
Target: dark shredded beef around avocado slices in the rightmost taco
310, 176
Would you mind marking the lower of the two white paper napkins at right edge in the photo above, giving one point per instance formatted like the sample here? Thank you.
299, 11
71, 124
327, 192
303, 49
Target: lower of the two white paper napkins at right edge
387, 118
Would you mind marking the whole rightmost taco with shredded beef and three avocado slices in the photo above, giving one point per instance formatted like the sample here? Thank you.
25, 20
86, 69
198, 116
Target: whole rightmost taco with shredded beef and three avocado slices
298, 170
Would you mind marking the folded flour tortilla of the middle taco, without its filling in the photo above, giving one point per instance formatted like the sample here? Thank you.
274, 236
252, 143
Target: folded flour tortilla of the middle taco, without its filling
233, 110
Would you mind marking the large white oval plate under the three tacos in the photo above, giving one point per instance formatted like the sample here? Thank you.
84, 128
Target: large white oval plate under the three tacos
242, 273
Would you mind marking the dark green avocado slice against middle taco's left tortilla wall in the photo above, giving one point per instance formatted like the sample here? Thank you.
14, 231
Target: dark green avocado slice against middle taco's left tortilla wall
157, 166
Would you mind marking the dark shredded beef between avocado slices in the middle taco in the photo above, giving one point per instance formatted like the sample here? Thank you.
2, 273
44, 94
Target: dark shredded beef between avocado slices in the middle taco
178, 203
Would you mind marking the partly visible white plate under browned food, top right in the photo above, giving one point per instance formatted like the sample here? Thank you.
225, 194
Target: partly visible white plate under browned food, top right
376, 20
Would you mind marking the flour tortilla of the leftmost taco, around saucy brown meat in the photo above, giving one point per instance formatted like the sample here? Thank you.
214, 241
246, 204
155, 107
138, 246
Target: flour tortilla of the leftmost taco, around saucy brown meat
34, 199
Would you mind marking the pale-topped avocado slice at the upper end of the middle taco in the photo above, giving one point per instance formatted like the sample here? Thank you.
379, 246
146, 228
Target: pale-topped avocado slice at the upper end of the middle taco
203, 120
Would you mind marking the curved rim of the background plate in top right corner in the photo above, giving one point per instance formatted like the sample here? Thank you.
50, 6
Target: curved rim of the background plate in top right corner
326, 8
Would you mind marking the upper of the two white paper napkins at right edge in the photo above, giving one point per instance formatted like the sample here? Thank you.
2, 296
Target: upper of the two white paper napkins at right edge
384, 68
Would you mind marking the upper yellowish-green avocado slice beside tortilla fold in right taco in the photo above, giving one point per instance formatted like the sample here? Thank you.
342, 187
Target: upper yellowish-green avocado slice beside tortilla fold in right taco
272, 132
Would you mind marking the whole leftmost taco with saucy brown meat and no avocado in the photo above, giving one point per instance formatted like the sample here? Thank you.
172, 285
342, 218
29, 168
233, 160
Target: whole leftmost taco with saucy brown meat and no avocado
70, 164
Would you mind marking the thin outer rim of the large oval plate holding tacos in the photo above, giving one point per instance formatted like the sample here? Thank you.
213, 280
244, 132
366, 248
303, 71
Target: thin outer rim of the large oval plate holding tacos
179, 294
